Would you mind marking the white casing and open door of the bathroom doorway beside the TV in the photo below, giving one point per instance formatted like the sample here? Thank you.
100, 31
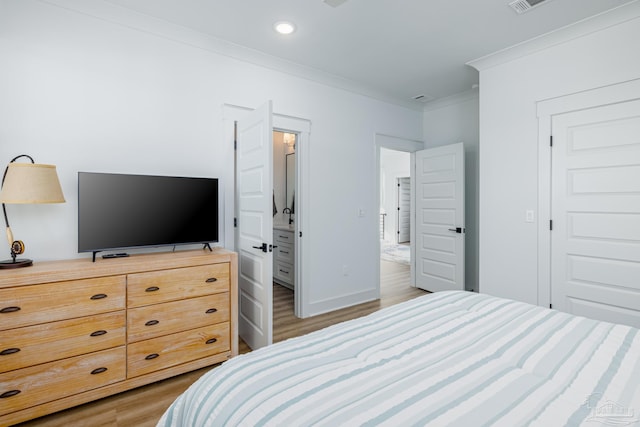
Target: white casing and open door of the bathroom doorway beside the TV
255, 293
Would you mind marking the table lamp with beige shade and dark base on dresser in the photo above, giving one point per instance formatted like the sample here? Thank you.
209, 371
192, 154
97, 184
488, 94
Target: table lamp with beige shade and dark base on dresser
25, 183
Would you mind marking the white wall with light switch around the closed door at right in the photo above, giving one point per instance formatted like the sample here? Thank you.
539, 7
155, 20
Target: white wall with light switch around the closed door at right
596, 53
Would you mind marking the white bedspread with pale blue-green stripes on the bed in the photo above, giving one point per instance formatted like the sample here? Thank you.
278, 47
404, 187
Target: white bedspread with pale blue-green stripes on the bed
445, 359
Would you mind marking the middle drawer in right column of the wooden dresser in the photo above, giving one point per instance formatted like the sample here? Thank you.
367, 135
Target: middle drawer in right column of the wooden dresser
163, 319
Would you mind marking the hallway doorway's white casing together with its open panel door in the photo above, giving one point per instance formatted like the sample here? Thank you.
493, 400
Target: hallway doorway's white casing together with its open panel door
436, 217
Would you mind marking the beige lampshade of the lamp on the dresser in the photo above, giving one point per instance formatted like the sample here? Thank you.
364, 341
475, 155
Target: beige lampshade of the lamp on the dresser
31, 183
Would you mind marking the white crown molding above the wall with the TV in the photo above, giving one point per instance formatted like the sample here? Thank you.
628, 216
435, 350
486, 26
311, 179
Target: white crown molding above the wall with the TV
118, 15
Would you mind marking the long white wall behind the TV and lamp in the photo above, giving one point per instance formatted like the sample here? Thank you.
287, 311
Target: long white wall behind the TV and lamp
91, 91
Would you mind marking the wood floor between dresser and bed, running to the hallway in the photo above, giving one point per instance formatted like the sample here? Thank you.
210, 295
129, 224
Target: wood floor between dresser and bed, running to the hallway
143, 406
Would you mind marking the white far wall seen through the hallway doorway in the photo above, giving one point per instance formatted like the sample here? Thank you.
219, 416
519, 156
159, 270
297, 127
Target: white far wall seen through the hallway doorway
393, 164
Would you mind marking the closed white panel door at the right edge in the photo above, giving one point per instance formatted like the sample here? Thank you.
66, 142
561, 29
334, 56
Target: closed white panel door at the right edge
595, 237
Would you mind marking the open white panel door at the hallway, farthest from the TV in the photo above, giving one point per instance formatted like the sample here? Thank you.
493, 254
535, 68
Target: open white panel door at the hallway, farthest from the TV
439, 201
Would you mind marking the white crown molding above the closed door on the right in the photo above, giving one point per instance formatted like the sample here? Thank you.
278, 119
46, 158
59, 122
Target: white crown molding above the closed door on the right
610, 18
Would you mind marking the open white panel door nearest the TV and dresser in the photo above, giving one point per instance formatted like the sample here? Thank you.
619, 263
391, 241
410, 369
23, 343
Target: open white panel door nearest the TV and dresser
254, 159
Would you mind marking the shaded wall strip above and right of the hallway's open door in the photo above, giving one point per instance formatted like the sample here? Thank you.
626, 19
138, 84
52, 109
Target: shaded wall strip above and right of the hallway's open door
449, 122
